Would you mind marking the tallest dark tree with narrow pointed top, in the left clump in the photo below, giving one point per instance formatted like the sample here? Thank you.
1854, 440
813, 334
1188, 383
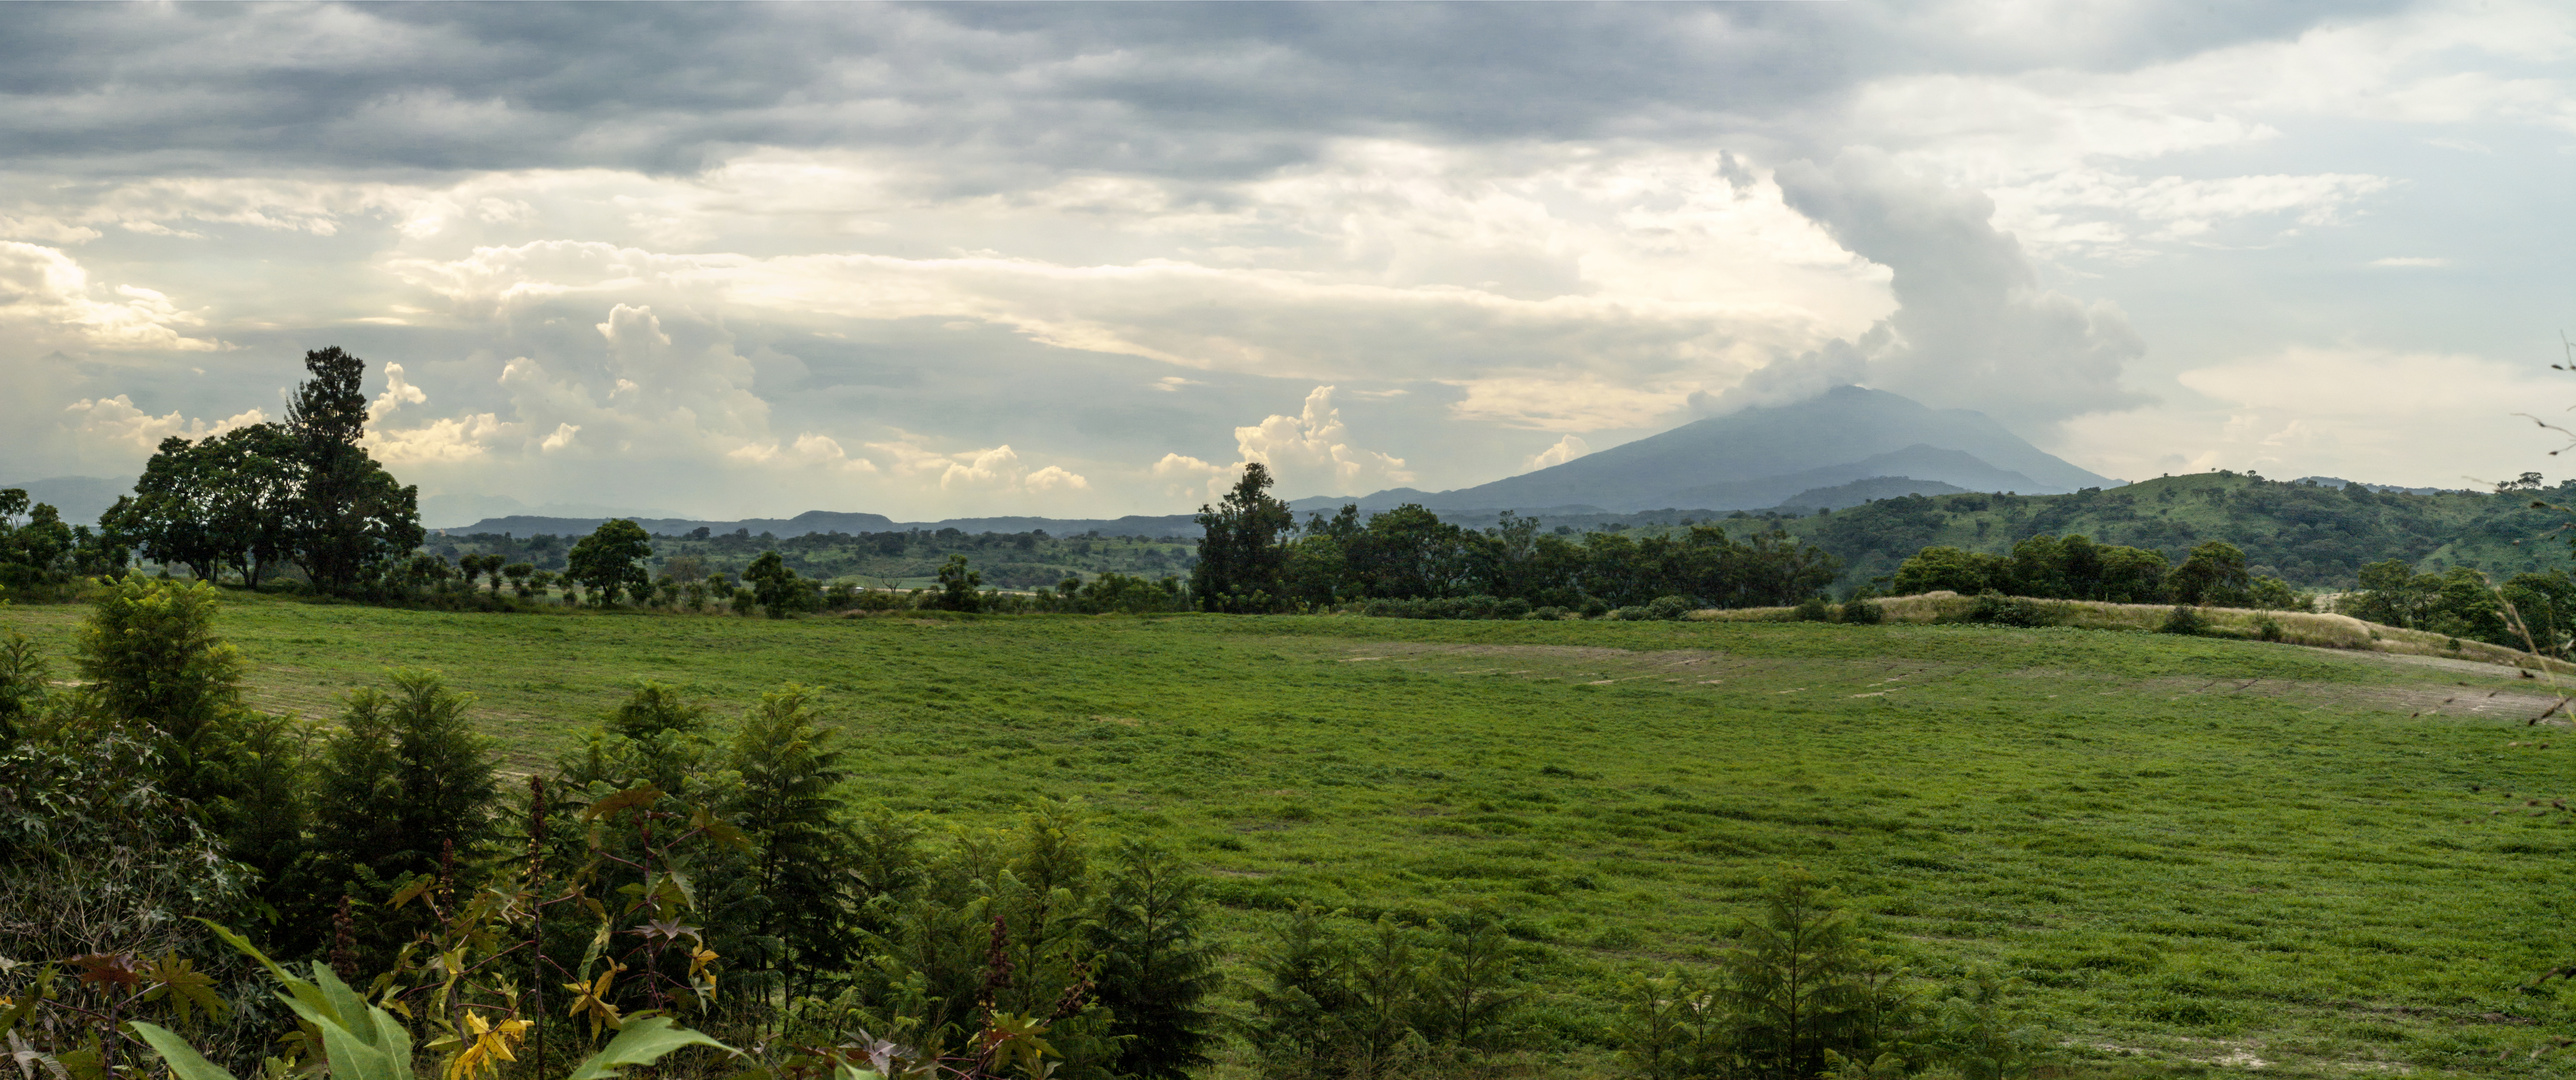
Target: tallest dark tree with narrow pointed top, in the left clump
349, 517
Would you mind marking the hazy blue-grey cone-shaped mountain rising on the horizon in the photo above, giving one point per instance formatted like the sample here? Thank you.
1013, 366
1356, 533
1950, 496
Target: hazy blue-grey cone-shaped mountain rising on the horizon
1763, 458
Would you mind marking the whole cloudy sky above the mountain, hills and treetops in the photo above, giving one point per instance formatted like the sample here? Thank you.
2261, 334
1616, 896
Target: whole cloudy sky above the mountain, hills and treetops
1091, 259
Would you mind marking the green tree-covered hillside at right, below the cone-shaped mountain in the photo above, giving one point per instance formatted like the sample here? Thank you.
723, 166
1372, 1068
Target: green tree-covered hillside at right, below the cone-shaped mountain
2299, 532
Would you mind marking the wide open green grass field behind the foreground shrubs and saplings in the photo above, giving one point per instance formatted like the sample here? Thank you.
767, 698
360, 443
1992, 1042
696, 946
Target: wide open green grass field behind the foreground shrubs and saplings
2201, 854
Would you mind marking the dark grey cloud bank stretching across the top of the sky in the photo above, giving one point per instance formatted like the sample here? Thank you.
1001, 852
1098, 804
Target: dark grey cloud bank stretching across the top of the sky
1145, 89
